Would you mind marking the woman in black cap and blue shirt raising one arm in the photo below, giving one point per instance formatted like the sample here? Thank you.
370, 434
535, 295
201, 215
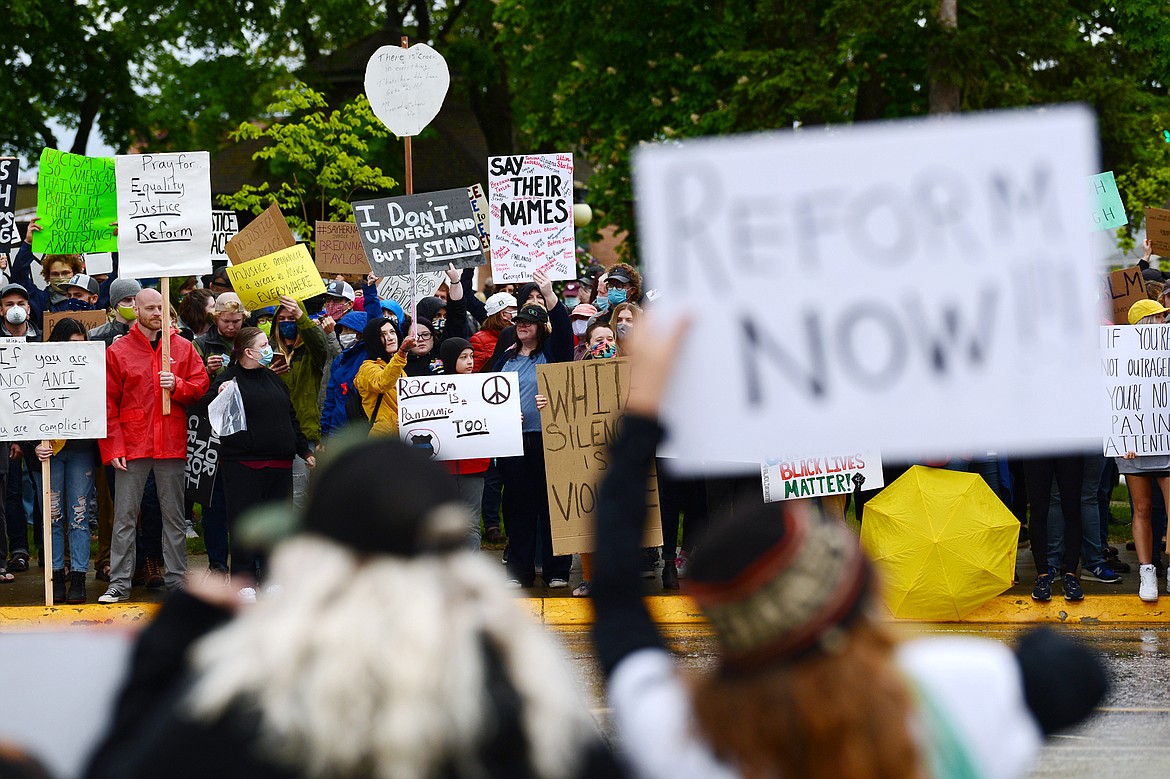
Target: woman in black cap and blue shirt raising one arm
524, 477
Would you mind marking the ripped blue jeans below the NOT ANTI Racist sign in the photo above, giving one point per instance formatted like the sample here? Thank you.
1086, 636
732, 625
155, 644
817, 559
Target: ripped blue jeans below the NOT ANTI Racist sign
72, 485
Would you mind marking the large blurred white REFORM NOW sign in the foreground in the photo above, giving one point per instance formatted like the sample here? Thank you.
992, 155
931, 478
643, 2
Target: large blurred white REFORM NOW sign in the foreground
972, 302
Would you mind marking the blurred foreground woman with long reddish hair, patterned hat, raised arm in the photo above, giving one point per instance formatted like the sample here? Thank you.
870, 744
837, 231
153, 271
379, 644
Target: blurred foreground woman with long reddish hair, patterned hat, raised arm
809, 683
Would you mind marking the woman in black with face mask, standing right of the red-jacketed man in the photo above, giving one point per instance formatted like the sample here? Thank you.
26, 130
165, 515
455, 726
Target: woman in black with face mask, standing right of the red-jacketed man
258, 461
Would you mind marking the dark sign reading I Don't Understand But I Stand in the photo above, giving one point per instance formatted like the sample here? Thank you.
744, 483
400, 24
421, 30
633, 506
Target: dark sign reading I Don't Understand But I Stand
437, 229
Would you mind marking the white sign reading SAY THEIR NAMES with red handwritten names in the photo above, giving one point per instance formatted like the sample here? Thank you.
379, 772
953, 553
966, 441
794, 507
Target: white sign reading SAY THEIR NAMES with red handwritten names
531, 217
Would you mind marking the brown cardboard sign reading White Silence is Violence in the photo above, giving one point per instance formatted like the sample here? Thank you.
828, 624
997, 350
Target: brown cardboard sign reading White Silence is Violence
586, 403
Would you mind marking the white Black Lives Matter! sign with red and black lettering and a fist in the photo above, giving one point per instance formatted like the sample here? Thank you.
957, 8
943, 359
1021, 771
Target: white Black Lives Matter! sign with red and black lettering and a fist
787, 479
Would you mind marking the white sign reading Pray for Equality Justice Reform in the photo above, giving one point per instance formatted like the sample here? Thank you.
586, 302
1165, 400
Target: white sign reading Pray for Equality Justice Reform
164, 215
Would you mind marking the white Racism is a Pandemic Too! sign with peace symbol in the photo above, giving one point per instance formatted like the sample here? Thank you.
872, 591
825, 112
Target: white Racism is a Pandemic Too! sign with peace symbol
462, 417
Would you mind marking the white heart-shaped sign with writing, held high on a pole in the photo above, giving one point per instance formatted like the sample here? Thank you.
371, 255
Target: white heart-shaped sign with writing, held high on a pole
407, 87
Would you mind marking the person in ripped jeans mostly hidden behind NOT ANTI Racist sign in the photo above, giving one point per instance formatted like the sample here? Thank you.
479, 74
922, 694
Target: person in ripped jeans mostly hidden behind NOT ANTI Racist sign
72, 486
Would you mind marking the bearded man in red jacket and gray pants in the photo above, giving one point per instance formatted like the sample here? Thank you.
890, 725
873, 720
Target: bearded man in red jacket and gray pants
140, 439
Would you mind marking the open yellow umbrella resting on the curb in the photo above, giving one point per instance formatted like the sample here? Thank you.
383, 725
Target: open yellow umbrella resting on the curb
944, 543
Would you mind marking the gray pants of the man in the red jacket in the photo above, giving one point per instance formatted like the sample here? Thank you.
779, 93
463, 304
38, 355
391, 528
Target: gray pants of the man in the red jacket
128, 499
